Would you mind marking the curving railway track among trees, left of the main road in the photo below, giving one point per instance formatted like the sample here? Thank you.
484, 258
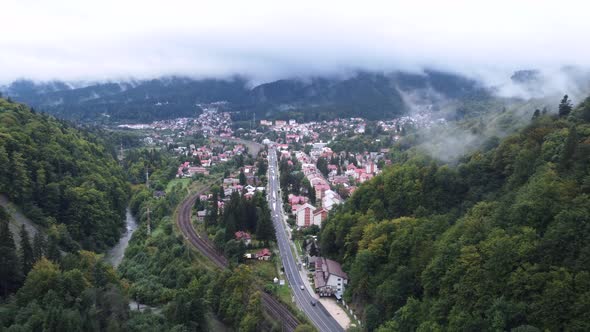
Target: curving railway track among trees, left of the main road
273, 307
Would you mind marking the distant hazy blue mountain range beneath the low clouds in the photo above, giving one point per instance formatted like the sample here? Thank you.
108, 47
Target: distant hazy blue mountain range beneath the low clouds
370, 95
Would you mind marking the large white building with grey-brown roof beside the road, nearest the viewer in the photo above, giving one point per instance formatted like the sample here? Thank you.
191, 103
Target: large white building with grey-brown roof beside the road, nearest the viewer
329, 279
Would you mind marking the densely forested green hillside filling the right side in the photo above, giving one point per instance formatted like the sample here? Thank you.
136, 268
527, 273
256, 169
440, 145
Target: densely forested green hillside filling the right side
497, 242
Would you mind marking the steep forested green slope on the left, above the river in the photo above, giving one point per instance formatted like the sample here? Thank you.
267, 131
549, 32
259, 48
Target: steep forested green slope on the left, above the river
64, 179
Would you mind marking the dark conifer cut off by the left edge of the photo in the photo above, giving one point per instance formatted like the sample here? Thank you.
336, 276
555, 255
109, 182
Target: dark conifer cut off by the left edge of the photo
10, 273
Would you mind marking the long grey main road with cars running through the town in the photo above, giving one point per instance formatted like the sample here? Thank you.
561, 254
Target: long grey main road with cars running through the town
316, 313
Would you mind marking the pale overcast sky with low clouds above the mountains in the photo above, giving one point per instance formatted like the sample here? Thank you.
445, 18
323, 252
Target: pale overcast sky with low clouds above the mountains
264, 40
